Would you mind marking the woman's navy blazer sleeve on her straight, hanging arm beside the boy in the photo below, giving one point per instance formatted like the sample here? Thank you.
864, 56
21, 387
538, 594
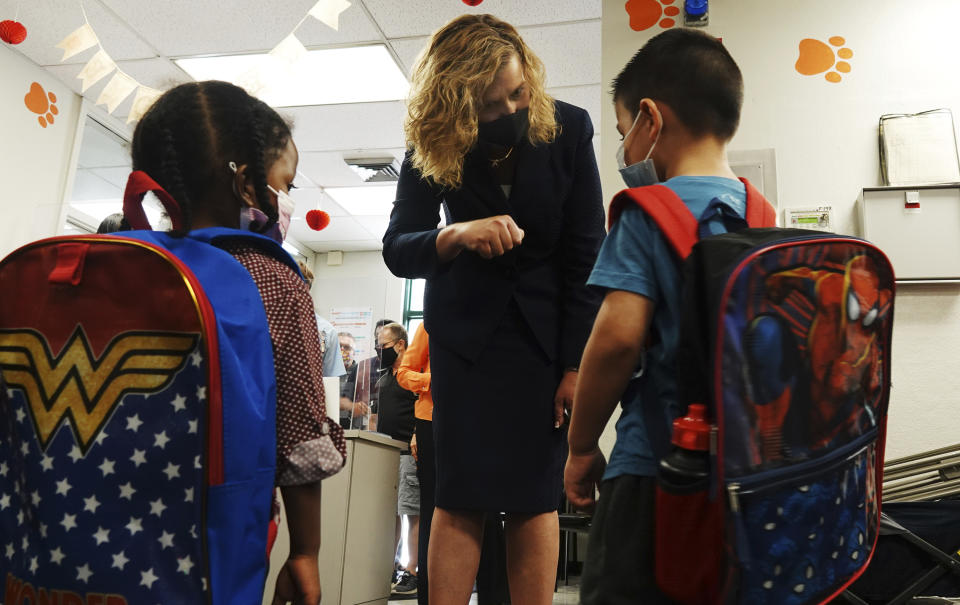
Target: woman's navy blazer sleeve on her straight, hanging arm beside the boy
583, 234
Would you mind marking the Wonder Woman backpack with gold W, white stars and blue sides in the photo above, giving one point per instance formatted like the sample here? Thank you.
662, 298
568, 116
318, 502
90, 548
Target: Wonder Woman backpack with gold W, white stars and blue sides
137, 427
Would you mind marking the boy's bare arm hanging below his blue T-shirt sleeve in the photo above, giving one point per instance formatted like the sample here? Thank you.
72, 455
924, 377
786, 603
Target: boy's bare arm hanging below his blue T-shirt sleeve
609, 360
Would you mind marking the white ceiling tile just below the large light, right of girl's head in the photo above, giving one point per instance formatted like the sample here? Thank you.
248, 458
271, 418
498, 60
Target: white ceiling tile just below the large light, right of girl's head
356, 127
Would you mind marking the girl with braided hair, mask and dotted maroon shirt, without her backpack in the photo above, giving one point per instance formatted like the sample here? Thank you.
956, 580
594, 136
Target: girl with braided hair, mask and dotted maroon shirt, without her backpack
229, 160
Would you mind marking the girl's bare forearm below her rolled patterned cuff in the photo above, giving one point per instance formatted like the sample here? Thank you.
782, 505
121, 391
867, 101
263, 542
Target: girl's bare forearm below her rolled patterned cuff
299, 579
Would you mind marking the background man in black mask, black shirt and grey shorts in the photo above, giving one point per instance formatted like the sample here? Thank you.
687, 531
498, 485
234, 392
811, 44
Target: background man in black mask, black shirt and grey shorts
394, 412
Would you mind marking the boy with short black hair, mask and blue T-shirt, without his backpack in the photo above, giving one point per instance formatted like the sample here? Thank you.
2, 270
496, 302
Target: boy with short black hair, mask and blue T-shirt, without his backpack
678, 105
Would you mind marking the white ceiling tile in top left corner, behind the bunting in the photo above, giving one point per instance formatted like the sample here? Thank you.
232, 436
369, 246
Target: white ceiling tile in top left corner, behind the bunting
50, 21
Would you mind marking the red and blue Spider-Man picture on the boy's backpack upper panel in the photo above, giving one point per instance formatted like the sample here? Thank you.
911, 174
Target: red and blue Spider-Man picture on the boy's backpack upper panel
830, 393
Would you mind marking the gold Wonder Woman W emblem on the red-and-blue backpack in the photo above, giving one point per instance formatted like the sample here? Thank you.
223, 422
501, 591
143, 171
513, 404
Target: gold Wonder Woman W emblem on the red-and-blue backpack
76, 386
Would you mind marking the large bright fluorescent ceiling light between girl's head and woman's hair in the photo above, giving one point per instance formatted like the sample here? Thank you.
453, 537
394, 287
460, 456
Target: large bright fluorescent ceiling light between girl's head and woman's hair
321, 77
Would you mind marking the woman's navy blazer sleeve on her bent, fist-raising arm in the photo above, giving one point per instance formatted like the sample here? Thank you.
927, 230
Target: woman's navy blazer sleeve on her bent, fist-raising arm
410, 242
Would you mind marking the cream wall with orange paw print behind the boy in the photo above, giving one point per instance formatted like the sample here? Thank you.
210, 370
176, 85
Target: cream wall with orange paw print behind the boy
825, 136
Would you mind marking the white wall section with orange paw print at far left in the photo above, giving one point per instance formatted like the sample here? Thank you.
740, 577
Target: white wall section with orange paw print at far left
34, 161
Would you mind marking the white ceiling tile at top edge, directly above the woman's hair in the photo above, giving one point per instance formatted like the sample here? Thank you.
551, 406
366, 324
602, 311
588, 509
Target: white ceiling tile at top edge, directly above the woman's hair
421, 17
